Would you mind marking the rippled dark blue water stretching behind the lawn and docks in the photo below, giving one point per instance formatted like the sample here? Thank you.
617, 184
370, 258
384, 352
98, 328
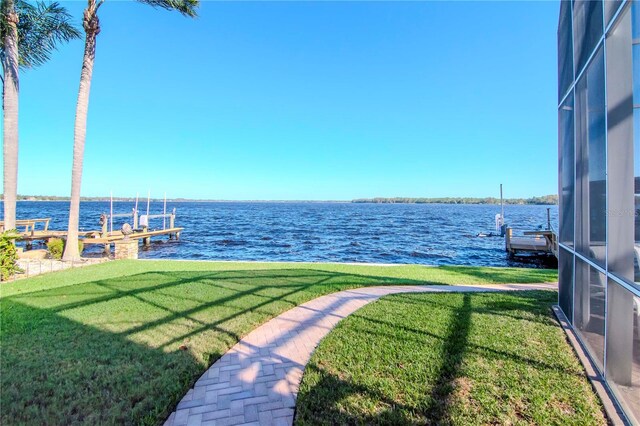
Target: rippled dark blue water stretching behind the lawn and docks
338, 232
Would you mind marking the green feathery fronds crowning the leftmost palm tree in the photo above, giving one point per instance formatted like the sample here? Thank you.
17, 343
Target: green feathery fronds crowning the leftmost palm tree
41, 28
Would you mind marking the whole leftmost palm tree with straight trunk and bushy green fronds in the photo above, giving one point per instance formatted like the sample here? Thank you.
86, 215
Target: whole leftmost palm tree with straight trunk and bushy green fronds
28, 35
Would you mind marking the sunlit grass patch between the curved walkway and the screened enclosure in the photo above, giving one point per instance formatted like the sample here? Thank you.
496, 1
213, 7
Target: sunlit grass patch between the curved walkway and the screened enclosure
448, 359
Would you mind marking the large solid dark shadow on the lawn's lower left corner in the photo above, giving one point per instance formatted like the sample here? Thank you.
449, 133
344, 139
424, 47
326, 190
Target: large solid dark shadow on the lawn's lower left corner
58, 371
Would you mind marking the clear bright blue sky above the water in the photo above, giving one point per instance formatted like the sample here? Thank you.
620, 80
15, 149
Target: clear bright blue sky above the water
302, 100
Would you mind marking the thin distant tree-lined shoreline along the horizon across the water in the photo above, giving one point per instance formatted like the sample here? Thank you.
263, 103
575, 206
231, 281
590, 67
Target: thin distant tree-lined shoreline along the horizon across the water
544, 200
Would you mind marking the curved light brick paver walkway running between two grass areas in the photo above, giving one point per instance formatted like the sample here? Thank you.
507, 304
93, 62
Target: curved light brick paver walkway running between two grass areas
257, 380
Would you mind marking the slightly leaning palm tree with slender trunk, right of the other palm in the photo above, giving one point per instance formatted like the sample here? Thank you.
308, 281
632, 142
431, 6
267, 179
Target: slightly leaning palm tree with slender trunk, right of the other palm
91, 25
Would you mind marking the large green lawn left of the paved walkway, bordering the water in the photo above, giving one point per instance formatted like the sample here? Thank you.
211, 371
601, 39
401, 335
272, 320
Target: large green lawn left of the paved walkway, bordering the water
121, 342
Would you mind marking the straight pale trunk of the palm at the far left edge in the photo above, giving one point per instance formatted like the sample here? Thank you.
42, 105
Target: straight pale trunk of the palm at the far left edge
10, 117
